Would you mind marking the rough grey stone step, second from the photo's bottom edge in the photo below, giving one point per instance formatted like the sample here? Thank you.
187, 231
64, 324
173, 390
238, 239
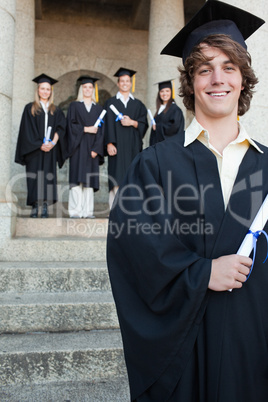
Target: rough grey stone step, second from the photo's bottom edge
43, 359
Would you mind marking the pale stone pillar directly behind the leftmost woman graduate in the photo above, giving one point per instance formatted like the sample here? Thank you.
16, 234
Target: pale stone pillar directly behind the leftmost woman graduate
23, 87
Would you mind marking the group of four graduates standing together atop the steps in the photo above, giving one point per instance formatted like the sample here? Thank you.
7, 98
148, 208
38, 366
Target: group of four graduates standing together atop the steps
88, 134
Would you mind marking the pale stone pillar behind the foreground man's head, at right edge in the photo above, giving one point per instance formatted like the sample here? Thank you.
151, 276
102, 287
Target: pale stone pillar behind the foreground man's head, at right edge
255, 120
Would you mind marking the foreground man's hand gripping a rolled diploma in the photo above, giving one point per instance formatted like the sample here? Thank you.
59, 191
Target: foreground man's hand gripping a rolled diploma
229, 272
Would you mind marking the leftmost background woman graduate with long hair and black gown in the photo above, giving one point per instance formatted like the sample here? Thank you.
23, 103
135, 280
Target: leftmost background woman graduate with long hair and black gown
39, 157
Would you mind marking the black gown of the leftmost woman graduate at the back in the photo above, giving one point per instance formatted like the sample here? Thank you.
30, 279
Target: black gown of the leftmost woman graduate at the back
40, 166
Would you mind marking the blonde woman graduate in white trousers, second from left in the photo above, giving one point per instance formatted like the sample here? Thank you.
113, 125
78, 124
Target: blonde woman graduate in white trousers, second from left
85, 149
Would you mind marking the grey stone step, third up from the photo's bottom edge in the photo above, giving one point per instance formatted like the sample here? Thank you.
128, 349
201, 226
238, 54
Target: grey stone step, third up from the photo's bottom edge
57, 312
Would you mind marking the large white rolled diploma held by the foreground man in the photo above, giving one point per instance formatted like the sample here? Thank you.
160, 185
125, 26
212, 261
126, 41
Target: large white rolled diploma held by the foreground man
257, 224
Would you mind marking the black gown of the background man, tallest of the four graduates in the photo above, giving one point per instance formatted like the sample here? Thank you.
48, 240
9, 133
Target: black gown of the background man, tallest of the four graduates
128, 140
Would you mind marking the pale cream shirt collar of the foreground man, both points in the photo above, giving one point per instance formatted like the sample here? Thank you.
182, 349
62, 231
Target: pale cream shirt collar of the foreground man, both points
195, 129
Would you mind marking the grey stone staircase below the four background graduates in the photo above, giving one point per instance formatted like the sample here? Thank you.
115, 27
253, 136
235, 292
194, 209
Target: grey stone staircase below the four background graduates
60, 338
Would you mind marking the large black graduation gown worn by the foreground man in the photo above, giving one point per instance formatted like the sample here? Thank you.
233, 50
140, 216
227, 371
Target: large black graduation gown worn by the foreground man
182, 341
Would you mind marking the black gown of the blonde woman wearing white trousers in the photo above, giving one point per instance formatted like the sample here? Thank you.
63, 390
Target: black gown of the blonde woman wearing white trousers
83, 168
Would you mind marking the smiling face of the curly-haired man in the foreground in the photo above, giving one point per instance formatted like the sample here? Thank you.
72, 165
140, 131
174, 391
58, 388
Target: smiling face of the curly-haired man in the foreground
217, 86
